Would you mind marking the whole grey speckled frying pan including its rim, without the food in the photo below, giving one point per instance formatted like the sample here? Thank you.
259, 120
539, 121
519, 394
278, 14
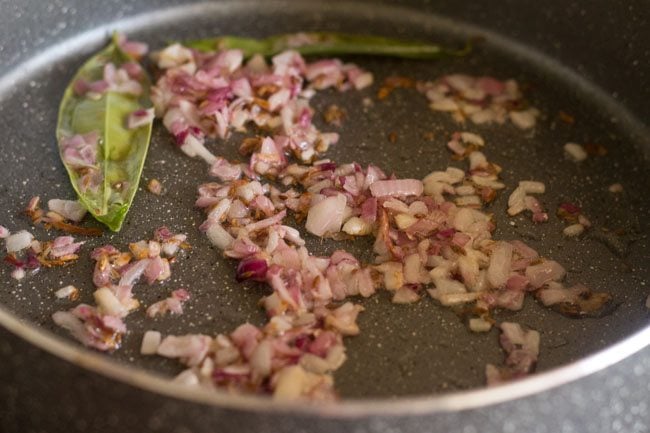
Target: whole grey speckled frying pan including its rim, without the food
413, 368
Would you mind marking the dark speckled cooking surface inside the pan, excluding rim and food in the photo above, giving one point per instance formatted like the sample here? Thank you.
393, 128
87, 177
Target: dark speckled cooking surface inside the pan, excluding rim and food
420, 349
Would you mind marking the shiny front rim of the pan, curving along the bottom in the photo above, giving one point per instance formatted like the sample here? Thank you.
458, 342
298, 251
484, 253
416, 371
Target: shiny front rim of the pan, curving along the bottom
455, 401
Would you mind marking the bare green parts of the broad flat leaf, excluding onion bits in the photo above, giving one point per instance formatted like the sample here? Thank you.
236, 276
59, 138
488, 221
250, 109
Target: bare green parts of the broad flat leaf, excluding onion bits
121, 151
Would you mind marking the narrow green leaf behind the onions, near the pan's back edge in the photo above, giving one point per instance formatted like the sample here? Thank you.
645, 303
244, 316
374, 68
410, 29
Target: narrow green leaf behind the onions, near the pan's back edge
328, 44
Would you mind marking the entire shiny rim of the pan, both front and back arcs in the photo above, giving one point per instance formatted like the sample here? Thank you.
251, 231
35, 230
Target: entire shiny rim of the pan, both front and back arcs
455, 401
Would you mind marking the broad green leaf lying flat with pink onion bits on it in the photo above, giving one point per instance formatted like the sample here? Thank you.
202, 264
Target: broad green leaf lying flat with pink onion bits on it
107, 182
